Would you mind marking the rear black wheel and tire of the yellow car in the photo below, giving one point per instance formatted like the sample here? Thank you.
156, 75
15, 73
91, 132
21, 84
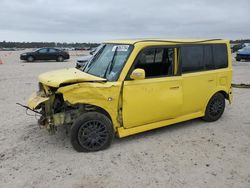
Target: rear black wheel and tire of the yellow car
215, 108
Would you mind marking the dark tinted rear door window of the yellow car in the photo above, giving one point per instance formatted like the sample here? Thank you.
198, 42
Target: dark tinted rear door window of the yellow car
192, 58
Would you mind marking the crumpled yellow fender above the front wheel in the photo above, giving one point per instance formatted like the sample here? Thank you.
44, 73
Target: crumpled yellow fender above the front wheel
101, 94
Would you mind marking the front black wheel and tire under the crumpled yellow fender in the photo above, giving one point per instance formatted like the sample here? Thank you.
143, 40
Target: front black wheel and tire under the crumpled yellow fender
92, 131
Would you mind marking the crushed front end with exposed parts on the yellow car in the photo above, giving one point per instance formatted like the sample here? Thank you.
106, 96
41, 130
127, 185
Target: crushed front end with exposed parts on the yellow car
53, 109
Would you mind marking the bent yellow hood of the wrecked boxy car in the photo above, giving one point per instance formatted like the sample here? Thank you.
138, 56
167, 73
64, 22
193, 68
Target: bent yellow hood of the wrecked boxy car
66, 76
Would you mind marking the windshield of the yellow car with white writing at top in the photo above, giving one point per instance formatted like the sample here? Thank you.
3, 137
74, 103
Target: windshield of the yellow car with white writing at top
108, 61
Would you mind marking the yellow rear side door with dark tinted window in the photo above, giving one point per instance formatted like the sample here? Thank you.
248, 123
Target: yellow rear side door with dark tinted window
199, 76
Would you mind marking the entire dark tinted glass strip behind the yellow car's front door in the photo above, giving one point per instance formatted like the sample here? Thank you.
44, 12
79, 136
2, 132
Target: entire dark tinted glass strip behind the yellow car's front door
203, 57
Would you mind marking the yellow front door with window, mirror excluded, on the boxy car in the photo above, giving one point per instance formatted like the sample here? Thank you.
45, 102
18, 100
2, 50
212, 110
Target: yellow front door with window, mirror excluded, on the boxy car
158, 97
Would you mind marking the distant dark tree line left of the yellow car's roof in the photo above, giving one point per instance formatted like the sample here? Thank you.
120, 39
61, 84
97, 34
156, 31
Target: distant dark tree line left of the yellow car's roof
5, 44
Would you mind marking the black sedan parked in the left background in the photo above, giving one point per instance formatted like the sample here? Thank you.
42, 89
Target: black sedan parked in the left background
45, 54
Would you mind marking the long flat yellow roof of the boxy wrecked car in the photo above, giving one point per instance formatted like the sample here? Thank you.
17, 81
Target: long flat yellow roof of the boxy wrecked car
134, 41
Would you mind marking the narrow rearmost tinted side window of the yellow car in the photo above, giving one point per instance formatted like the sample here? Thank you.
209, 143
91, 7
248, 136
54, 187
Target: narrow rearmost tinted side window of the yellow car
220, 56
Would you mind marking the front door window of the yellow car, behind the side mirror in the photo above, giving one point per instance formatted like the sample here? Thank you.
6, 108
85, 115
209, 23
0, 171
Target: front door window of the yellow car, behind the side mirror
156, 62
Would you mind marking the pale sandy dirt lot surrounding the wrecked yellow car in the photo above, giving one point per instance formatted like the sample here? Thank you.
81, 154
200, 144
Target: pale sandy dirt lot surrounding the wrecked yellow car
190, 154
